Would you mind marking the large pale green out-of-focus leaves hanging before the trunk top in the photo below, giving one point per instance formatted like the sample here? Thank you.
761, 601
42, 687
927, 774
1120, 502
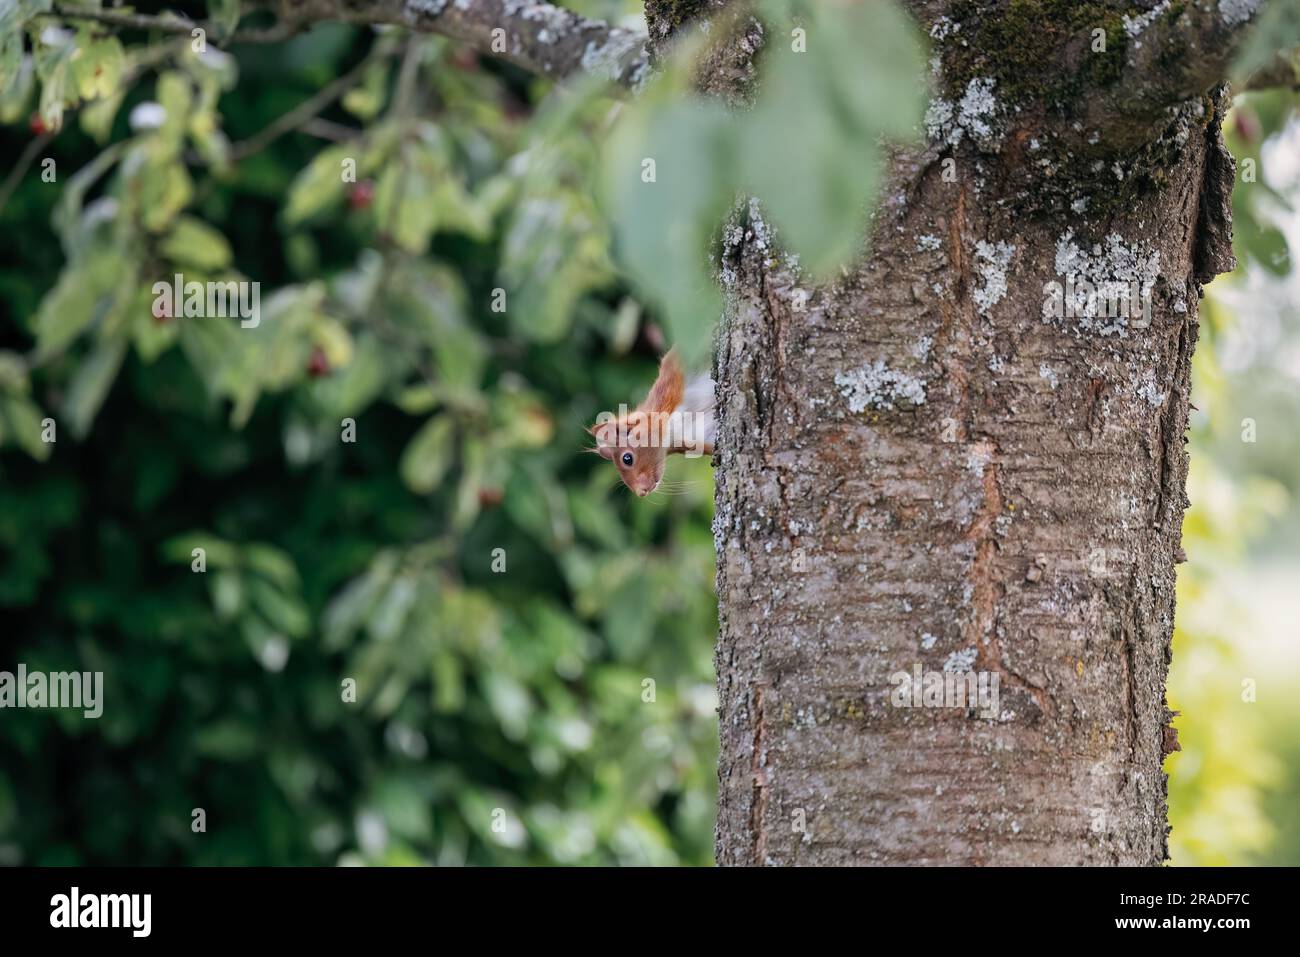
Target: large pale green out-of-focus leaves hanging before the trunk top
839, 83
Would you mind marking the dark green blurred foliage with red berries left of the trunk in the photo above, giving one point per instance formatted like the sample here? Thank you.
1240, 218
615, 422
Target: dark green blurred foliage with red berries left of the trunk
501, 605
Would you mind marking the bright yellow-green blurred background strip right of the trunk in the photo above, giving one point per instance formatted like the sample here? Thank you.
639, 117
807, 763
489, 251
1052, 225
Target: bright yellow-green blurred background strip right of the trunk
1236, 677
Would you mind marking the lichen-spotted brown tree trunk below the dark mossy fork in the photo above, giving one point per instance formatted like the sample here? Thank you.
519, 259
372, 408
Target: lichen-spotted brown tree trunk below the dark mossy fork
920, 471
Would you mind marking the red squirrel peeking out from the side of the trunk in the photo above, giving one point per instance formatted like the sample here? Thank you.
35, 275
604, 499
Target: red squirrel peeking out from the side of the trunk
677, 417
